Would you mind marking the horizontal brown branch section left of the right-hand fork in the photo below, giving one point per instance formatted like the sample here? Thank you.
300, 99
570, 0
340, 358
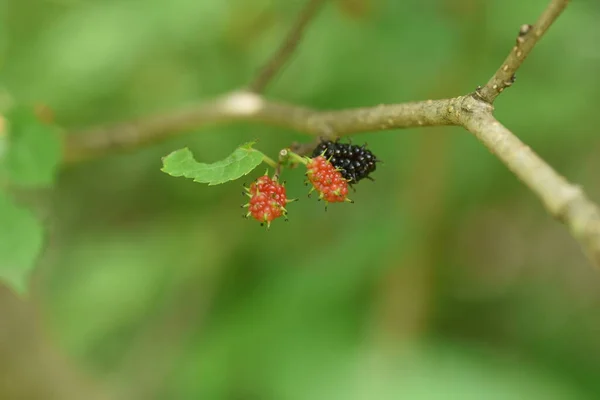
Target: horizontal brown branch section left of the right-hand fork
247, 106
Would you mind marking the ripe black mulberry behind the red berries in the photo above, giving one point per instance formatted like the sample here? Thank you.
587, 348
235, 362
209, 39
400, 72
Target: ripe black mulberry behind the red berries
354, 162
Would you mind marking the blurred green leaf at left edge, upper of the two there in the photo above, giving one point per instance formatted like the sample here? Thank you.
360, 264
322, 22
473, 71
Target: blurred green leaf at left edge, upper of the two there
33, 149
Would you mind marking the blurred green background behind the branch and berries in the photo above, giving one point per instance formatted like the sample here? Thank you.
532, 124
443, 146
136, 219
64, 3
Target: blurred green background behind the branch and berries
445, 280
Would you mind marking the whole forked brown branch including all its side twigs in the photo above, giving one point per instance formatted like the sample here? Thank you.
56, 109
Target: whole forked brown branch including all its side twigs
562, 199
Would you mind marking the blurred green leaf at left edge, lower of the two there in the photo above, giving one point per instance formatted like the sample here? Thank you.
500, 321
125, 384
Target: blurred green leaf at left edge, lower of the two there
21, 237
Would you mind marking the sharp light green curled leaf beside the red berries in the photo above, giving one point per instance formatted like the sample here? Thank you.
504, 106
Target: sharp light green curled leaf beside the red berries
239, 163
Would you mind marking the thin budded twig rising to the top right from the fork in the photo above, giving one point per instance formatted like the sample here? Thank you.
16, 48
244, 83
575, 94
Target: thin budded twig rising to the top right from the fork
526, 40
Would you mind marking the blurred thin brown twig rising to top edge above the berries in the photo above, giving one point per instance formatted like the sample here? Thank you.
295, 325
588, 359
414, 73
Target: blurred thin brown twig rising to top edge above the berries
287, 48
